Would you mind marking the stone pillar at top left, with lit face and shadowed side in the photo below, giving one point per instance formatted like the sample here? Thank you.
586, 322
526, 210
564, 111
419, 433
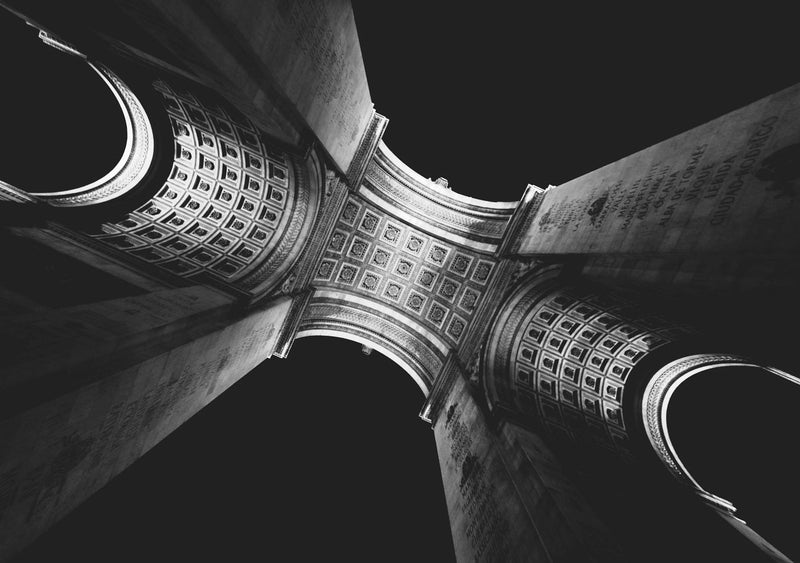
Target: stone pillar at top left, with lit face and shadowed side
294, 68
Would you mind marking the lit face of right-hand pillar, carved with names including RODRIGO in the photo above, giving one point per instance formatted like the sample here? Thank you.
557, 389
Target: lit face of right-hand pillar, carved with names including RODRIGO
727, 185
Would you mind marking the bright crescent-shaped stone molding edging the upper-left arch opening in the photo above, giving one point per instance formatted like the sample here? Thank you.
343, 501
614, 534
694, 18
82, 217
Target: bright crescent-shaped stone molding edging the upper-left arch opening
136, 157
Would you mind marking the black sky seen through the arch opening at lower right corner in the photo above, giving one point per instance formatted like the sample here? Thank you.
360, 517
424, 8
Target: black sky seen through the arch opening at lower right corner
735, 430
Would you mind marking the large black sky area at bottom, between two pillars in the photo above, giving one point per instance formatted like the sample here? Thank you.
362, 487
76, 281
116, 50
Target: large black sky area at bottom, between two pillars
320, 457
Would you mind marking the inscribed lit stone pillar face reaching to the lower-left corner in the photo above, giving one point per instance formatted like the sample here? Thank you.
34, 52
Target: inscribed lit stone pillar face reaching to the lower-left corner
53, 456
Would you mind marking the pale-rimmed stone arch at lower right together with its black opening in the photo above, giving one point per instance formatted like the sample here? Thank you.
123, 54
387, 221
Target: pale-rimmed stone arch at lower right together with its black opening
723, 425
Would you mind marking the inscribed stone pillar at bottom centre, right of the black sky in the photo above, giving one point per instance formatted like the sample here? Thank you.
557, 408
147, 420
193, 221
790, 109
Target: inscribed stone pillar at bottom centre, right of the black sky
507, 495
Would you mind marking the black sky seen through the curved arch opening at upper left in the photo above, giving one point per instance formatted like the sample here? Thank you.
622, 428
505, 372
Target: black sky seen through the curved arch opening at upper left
62, 127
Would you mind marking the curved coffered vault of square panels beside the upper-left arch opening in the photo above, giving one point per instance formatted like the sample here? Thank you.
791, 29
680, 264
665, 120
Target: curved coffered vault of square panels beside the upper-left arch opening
232, 208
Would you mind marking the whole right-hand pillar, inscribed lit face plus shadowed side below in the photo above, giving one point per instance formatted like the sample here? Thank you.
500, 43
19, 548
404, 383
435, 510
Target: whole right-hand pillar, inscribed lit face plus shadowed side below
715, 207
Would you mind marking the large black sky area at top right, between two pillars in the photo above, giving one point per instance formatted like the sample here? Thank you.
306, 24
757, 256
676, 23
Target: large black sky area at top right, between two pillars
496, 97
